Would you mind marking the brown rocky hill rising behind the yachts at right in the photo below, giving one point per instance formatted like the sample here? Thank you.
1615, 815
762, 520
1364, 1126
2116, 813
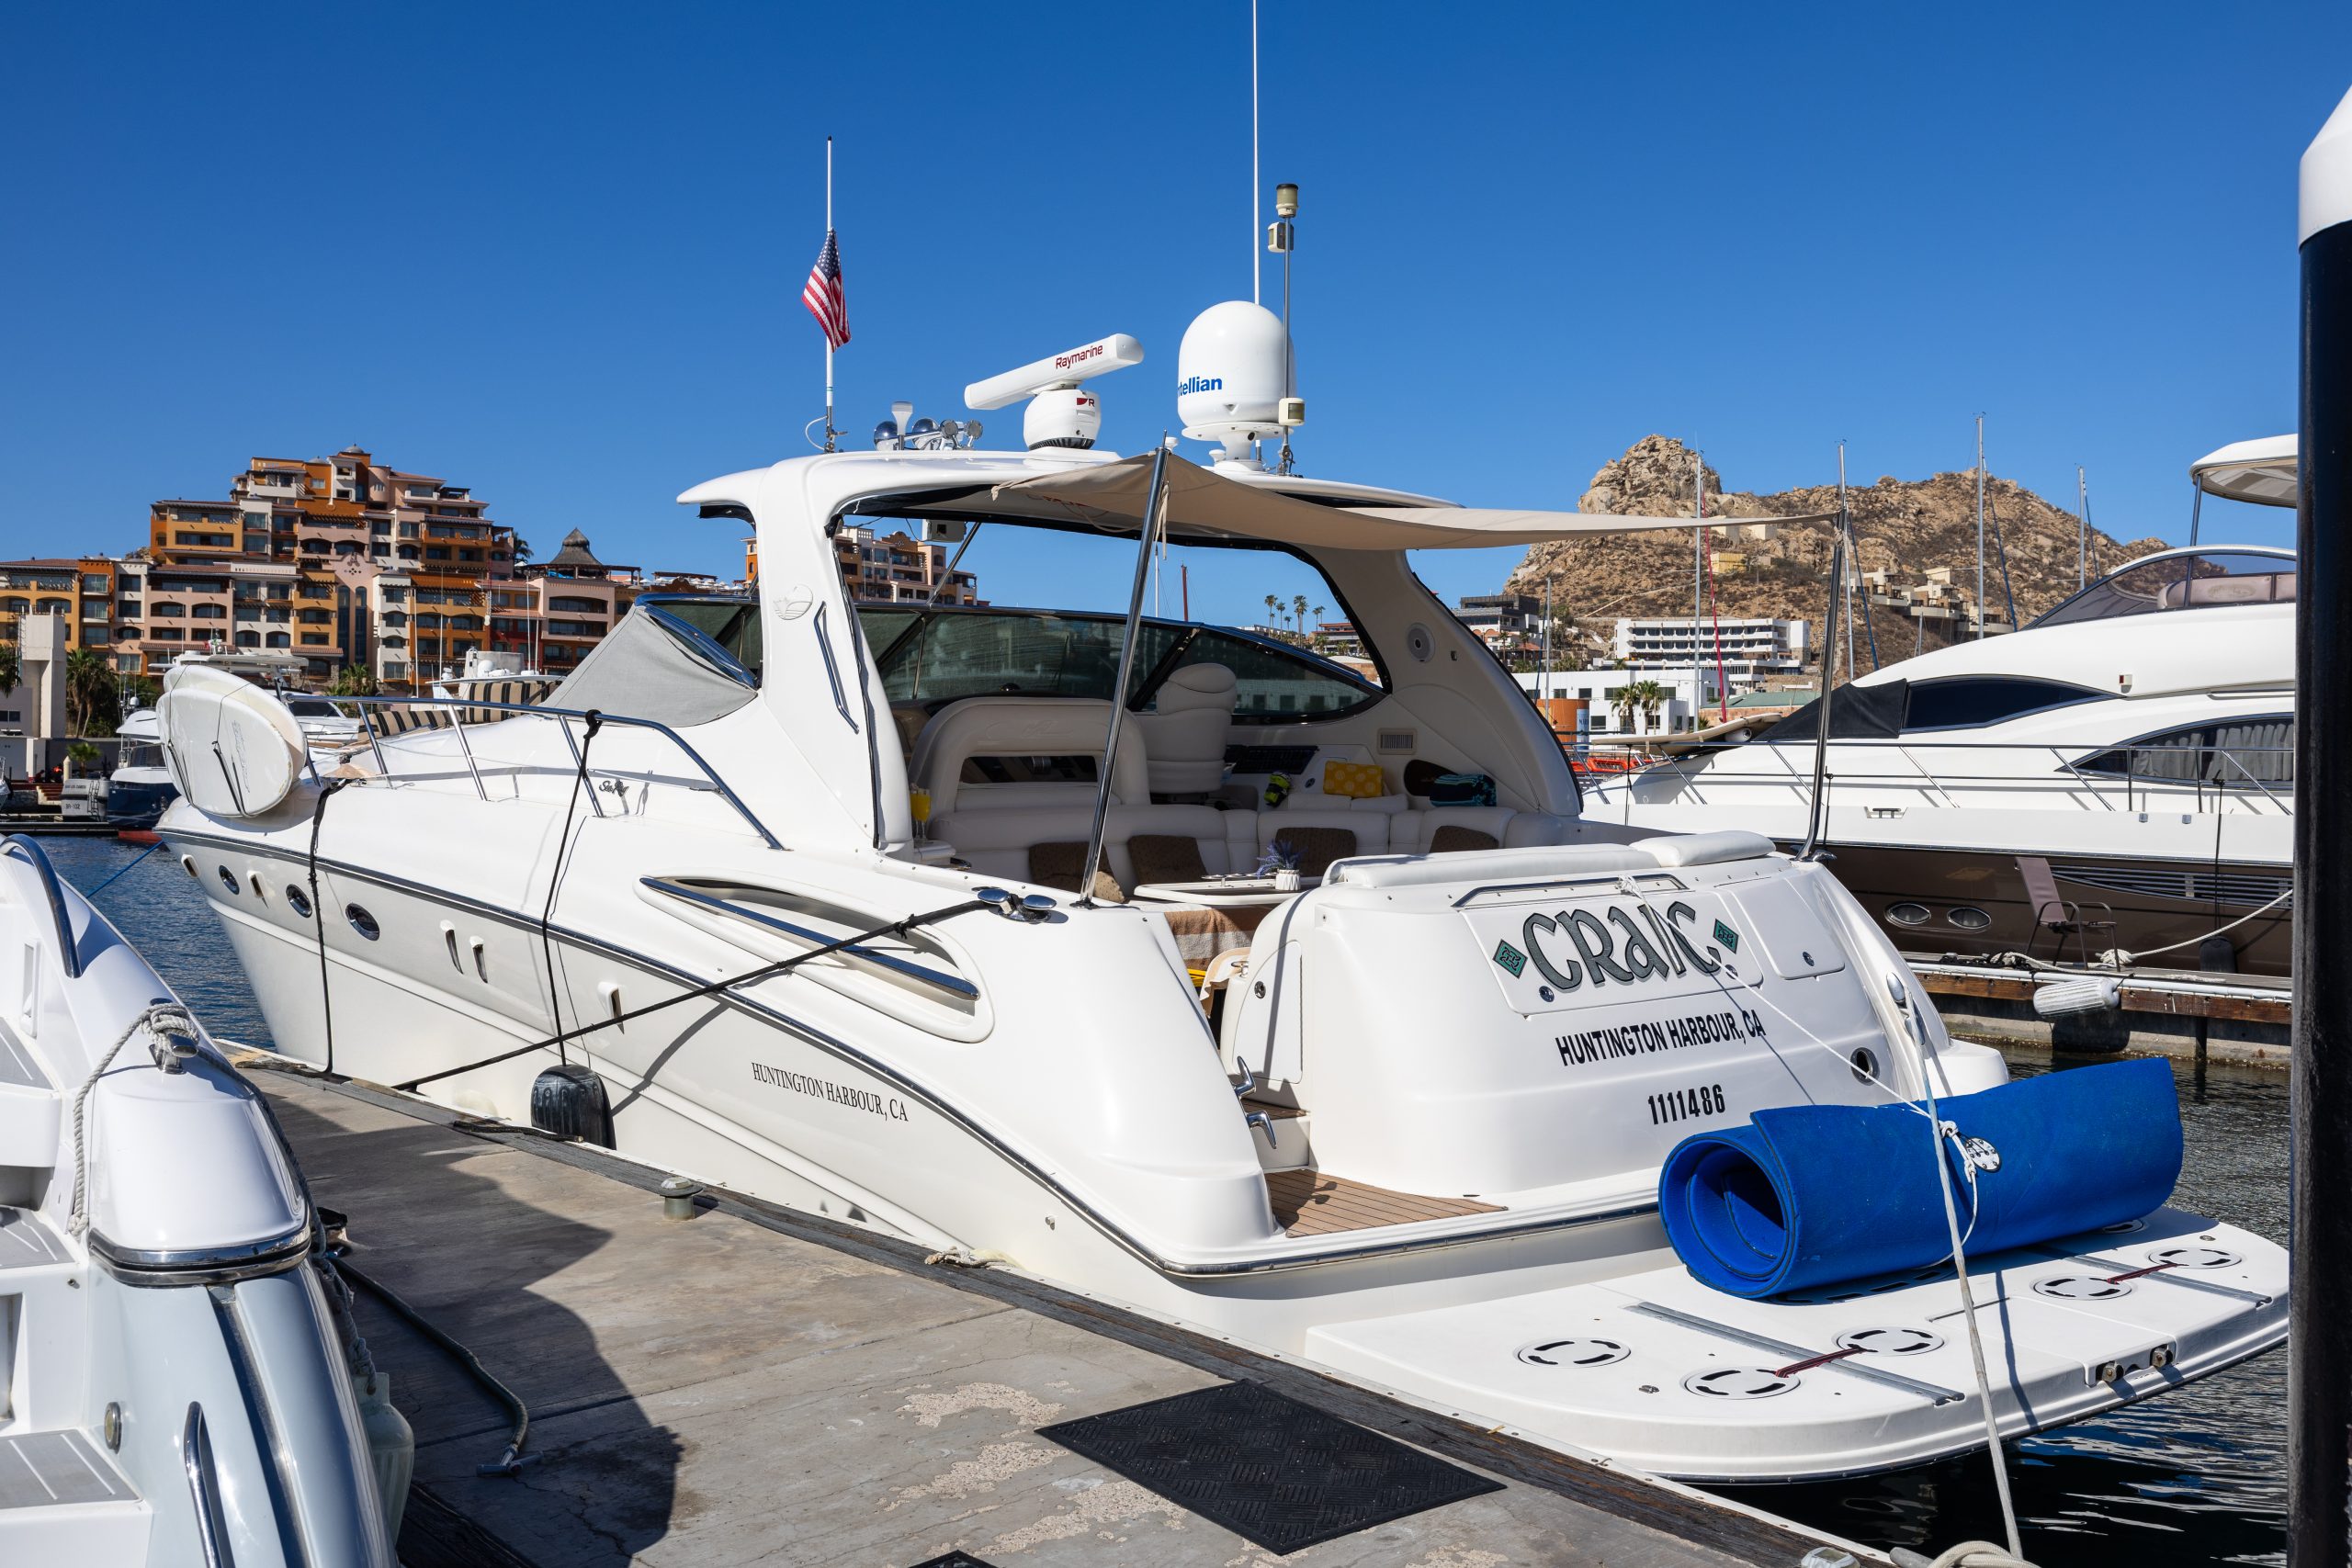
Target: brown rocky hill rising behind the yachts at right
1904, 528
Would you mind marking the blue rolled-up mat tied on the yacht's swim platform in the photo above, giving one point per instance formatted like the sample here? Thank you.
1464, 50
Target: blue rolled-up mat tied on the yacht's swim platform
1817, 1195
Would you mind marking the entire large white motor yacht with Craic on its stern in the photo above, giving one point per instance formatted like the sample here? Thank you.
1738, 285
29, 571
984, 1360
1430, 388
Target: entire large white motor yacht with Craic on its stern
1168, 963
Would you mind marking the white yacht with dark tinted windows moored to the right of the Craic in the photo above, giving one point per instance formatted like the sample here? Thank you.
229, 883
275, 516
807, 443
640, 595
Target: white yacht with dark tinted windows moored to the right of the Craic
2116, 777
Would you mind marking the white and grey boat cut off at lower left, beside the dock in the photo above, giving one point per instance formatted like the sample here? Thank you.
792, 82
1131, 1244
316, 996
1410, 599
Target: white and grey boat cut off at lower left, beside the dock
173, 1381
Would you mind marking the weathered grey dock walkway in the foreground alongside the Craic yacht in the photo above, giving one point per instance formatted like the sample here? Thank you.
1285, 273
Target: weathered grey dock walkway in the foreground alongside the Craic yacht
763, 1386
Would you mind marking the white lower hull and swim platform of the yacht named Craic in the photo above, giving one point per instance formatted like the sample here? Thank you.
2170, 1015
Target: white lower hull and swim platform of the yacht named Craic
770, 1094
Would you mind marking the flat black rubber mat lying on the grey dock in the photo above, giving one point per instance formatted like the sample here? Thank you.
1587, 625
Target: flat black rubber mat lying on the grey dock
1267, 1468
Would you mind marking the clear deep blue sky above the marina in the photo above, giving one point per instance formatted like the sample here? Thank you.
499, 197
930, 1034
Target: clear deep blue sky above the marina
556, 253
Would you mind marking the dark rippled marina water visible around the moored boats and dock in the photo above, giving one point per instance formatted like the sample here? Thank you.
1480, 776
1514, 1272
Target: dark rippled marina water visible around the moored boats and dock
2196, 1477
